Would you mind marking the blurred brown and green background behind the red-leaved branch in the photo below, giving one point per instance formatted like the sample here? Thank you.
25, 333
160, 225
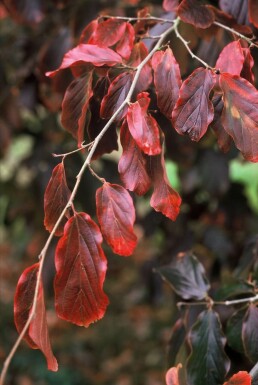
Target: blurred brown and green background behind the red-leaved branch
218, 219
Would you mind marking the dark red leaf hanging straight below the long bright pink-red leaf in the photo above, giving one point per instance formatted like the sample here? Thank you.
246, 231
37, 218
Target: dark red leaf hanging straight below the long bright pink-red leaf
75, 106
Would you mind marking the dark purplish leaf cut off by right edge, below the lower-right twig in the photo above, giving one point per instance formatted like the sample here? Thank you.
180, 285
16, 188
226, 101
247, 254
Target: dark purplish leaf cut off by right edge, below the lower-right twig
250, 333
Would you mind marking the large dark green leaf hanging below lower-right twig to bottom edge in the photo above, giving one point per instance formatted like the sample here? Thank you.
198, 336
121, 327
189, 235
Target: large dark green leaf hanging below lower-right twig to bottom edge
208, 363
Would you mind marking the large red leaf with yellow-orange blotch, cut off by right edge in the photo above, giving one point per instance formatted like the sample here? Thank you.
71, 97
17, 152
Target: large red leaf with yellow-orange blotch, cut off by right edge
240, 114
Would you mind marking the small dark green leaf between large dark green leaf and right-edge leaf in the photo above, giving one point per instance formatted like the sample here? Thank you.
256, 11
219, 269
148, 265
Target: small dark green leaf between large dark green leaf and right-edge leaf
234, 330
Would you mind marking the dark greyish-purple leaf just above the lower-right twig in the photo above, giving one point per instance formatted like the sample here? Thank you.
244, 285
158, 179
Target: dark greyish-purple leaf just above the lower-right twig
186, 275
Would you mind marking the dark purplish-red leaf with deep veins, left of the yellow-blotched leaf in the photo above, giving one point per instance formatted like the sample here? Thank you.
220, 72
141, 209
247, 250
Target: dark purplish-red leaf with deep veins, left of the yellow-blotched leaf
193, 111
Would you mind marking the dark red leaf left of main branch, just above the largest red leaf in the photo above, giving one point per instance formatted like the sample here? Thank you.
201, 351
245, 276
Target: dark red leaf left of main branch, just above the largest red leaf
56, 197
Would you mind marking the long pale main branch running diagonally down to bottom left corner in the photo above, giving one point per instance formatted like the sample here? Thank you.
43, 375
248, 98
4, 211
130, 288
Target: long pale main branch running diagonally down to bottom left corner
86, 163
